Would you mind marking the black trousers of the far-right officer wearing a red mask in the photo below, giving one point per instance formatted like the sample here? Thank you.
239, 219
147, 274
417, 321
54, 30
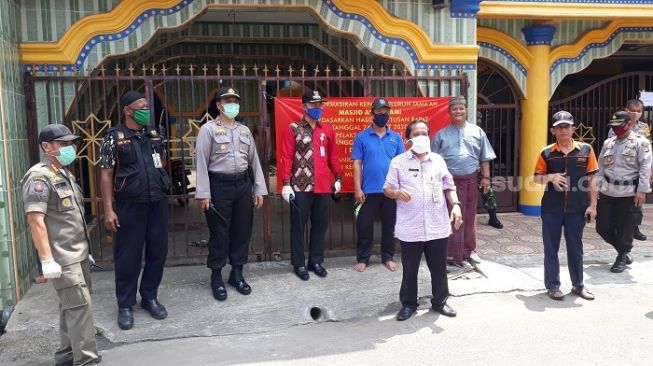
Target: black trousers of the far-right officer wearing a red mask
616, 219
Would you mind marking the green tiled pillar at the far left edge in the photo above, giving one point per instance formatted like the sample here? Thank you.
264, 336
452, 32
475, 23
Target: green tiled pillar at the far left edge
18, 262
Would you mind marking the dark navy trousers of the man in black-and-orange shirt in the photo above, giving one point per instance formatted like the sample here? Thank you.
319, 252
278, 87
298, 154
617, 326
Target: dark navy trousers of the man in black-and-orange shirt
552, 225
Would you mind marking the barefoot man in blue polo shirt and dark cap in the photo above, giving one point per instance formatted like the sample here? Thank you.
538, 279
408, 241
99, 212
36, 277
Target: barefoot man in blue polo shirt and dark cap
373, 149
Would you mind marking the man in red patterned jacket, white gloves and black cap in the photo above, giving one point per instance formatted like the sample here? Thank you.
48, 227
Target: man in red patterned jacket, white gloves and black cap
310, 160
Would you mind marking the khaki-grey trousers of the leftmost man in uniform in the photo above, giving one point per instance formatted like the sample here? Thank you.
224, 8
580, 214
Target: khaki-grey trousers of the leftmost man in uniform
76, 328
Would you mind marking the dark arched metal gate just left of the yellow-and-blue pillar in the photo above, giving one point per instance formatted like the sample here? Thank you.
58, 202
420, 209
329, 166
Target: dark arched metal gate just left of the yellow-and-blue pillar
498, 115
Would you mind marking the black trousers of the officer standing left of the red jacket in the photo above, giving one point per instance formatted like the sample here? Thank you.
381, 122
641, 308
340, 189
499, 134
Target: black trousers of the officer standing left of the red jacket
230, 228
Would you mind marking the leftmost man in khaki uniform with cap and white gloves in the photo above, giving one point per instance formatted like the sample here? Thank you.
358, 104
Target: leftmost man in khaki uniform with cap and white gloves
55, 213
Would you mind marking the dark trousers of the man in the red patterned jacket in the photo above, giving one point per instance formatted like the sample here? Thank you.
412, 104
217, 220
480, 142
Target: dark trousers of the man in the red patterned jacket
315, 205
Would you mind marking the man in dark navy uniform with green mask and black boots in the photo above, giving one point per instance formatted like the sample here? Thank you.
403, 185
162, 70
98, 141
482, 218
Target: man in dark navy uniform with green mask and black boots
133, 175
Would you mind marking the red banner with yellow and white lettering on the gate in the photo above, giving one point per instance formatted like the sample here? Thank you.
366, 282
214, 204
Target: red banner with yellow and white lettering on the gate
349, 116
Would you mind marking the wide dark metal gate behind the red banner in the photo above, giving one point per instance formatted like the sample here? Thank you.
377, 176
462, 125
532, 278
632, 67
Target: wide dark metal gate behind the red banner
180, 98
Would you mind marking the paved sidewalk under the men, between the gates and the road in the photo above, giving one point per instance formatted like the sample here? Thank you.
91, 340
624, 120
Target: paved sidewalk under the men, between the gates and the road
280, 301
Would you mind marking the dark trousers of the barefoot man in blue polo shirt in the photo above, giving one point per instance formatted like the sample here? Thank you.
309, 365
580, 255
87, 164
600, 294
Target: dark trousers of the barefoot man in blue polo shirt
376, 202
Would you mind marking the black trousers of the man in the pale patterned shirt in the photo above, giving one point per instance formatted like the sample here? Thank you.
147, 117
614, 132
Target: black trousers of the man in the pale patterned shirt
435, 252
